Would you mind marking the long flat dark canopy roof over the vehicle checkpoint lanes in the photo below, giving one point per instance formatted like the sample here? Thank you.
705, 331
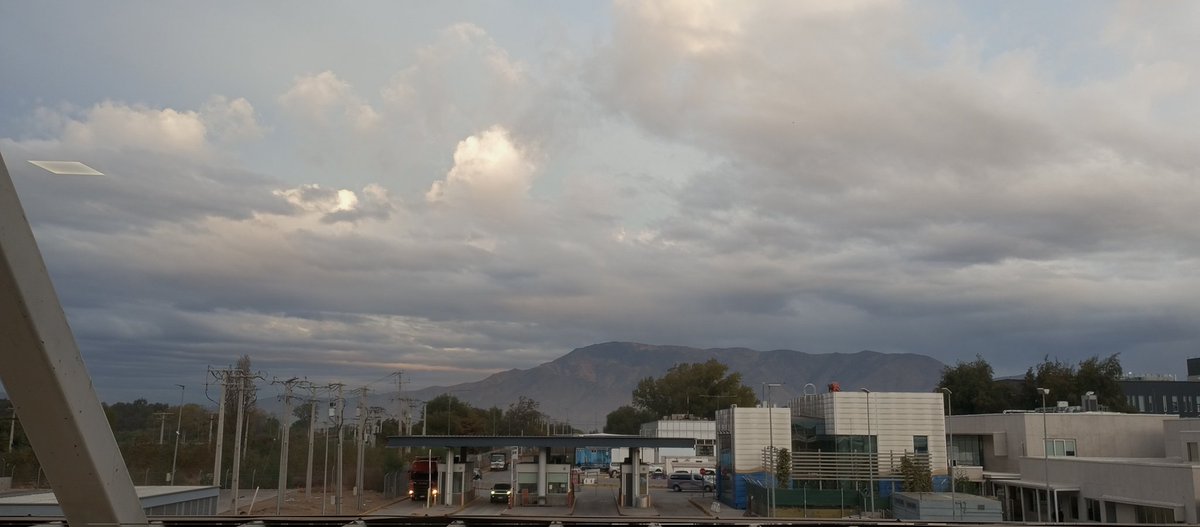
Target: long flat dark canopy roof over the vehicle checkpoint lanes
599, 441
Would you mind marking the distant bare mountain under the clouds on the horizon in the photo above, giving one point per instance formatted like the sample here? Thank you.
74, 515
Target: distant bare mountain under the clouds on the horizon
587, 384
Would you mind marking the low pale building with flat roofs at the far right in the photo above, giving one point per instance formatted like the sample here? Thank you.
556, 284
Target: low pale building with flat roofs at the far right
1102, 468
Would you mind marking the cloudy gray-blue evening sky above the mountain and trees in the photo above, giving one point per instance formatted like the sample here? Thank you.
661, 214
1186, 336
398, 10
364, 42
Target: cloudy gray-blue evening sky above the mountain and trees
343, 191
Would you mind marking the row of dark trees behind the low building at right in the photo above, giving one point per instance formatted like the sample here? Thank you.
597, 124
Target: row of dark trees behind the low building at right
975, 390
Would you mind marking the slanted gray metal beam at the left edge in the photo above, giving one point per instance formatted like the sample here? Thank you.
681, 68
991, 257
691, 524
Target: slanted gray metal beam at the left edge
50, 386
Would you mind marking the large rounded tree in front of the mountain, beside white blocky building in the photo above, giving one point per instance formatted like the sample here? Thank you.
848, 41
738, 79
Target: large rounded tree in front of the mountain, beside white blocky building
697, 390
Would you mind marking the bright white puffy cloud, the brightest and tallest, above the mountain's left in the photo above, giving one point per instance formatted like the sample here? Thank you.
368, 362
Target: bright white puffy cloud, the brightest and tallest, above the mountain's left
490, 172
